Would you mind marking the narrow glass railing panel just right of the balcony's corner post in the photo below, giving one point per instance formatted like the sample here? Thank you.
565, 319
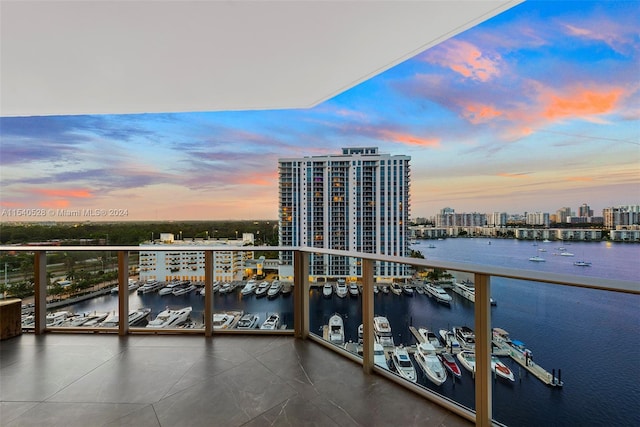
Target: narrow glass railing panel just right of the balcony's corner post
335, 305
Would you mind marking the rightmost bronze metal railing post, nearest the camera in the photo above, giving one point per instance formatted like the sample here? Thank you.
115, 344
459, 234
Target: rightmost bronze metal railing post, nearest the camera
483, 349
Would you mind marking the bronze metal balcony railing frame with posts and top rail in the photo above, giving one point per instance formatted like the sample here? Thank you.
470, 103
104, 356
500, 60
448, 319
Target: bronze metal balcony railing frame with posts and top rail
482, 275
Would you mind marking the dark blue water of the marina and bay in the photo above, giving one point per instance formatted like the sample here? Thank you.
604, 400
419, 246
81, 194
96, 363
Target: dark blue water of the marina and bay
593, 336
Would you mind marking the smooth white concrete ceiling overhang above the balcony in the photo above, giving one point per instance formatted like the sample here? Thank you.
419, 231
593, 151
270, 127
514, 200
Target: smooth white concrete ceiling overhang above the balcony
116, 57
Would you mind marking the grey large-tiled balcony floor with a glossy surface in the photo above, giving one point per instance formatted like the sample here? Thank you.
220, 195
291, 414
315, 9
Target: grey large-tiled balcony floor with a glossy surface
181, 380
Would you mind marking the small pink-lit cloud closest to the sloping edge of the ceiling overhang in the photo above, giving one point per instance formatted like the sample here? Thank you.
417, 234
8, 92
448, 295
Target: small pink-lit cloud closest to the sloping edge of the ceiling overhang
465, 59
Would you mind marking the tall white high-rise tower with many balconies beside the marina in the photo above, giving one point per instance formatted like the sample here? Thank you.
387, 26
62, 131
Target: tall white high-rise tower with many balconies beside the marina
356, 201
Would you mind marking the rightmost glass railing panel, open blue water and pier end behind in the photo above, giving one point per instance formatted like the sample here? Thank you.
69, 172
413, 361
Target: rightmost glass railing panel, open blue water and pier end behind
572, 351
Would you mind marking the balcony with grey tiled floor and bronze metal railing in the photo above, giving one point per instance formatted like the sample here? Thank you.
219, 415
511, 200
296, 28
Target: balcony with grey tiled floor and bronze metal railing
297, 360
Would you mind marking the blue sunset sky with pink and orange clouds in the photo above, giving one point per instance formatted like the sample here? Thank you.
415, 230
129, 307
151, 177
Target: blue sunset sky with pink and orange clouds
531, 111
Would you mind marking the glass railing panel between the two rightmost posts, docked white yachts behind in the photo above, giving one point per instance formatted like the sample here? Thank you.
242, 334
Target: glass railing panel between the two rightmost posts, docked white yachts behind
424, 315
